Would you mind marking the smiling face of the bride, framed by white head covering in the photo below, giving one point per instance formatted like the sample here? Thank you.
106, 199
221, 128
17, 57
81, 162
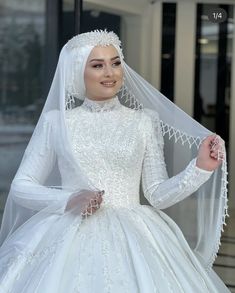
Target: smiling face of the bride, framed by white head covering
103, 73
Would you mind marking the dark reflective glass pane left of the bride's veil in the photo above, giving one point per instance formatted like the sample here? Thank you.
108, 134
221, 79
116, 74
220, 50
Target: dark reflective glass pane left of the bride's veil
22, 31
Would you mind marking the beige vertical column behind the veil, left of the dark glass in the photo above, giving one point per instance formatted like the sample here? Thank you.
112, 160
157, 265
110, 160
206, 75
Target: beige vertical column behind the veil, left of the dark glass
185, 55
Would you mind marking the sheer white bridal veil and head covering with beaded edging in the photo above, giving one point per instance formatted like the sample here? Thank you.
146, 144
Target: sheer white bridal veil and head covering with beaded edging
200, 216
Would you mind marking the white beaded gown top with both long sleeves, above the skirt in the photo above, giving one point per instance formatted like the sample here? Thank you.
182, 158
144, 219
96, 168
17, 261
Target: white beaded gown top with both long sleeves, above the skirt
118, 148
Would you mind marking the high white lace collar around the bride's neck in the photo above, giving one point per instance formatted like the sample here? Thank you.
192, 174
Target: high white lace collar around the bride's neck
102, 105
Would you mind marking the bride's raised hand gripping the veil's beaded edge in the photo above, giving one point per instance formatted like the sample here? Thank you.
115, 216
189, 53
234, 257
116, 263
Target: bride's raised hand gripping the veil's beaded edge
210, 153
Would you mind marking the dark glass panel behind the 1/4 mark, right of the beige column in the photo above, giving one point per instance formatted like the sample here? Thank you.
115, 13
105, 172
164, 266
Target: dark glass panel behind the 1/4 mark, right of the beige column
213, 67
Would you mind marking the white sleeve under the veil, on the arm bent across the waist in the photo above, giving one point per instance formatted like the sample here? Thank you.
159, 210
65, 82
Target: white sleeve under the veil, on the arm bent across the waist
27, 187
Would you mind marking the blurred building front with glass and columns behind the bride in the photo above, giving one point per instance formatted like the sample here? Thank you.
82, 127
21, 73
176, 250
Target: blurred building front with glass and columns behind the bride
186, 49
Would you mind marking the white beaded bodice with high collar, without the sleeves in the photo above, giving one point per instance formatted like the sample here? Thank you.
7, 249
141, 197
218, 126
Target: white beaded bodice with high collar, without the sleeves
107, 142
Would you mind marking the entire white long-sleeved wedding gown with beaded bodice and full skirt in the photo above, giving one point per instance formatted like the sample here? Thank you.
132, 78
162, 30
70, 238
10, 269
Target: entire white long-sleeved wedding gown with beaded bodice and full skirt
124, 246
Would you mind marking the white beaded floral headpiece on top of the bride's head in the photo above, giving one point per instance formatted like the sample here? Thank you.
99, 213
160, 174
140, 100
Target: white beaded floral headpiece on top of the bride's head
94, 38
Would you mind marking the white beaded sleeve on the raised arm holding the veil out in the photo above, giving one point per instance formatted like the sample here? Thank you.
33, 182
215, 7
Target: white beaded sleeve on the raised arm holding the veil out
160, 190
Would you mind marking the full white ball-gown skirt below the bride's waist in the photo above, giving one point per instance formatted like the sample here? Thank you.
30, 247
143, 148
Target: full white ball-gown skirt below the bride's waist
115, 250
